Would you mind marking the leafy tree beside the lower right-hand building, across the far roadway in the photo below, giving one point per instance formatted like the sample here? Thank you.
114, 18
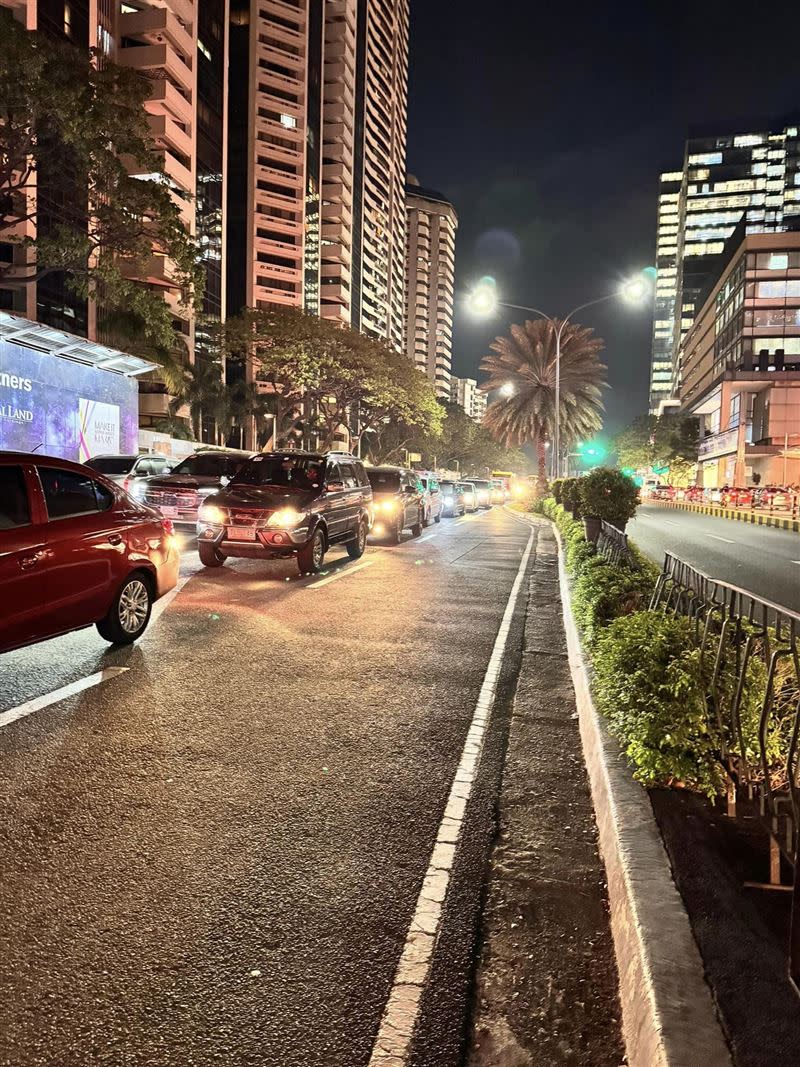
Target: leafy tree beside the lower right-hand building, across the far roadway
661, 441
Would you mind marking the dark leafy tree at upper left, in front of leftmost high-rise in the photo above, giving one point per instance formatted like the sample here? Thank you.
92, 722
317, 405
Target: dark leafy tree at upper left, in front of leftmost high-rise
63, 115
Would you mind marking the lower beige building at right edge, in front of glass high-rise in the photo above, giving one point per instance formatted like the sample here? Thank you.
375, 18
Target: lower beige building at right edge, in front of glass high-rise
740, 365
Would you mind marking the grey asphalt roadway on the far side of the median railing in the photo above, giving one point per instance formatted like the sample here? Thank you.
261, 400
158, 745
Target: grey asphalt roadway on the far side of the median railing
759, 559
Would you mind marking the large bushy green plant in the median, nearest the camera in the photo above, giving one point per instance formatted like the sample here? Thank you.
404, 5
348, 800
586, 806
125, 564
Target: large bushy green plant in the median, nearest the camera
650, 686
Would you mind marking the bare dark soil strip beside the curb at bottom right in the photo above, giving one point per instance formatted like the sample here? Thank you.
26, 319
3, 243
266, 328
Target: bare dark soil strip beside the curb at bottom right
743, 933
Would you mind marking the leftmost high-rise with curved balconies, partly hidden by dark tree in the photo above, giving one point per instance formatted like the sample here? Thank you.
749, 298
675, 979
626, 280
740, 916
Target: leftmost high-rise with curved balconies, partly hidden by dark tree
181, 47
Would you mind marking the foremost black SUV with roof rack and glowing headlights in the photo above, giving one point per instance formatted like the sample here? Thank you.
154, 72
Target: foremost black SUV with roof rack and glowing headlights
289, 504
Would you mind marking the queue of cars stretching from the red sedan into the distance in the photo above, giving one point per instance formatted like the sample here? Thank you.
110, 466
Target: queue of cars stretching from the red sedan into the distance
94, 545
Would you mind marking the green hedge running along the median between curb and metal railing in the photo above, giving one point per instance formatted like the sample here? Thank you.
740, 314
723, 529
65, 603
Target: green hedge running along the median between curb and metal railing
651, 682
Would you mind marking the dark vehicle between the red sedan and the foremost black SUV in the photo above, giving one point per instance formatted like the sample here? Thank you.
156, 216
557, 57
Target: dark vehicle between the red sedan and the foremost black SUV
179, 496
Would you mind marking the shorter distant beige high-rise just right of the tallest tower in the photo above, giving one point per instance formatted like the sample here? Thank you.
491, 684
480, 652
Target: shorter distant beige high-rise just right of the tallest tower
430, 266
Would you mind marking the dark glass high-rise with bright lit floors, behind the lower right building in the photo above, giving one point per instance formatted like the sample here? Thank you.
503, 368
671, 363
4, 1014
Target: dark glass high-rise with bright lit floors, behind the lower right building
724, 179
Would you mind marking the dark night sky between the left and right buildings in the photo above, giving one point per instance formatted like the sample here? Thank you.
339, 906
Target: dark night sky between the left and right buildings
548, 125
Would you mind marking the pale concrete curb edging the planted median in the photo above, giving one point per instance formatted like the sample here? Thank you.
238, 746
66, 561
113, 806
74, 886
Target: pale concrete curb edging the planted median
668, 1013
